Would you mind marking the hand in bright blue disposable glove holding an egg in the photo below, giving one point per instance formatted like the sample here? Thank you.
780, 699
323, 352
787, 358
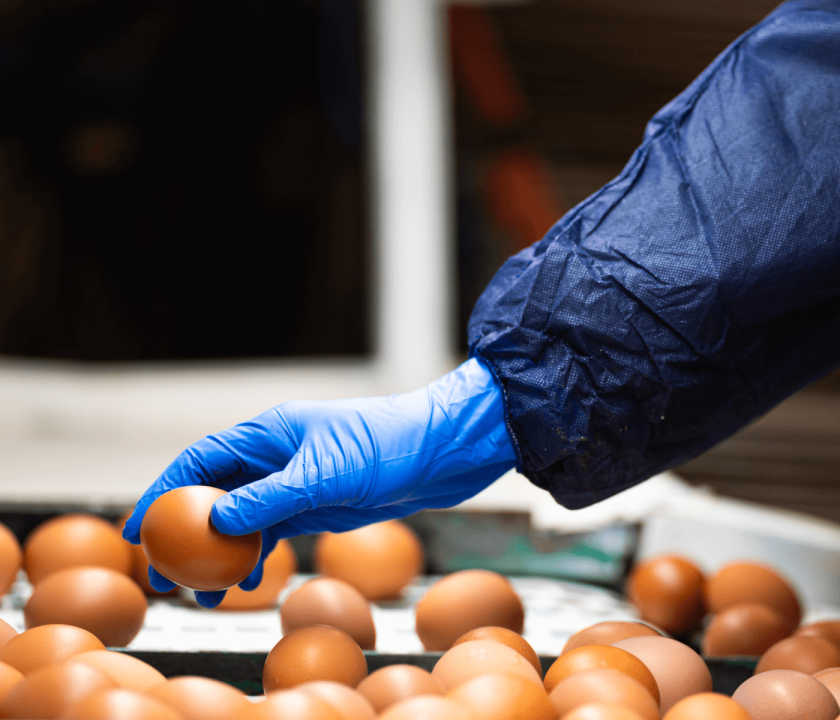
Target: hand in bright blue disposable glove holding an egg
309, 467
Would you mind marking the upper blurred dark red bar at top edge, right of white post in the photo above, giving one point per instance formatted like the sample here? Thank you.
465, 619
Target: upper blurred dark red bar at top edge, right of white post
482, 68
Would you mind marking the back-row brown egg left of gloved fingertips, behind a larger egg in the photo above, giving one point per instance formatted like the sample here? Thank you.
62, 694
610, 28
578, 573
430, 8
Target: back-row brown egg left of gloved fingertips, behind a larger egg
72, 540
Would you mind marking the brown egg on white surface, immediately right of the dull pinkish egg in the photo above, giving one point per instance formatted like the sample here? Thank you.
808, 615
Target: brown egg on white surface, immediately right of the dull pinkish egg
463, 601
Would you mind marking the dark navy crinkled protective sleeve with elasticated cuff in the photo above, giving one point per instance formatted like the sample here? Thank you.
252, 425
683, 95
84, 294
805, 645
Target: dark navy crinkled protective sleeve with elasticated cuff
695, 291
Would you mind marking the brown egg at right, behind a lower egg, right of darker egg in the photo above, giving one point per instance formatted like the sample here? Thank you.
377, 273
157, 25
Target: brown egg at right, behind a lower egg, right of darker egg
742, 582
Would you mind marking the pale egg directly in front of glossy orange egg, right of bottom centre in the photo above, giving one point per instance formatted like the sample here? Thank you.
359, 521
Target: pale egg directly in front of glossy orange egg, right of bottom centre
604, 685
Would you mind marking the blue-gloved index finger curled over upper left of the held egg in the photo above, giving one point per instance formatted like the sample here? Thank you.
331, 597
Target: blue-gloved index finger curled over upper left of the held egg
242, 453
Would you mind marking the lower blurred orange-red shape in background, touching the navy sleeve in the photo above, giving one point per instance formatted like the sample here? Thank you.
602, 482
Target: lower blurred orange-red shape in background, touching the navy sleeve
522, 196
